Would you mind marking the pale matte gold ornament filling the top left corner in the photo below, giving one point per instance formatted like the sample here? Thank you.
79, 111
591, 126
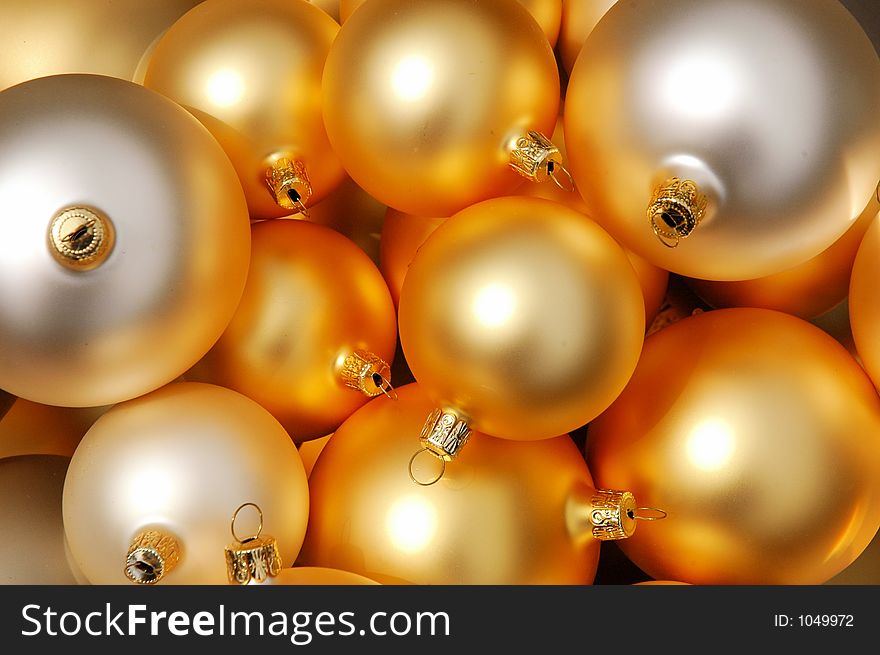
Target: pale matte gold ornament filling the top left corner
38, 39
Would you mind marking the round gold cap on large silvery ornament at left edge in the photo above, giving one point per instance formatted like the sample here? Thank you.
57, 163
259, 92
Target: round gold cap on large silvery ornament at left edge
81, 238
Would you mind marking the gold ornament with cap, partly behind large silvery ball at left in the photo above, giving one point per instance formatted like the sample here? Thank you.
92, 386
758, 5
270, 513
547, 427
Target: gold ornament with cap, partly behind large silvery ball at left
251, 72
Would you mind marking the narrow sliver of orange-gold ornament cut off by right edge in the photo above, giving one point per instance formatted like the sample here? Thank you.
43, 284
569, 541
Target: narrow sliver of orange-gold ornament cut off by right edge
864, 308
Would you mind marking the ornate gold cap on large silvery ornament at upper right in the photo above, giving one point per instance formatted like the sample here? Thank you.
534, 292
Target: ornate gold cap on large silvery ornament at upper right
676, 209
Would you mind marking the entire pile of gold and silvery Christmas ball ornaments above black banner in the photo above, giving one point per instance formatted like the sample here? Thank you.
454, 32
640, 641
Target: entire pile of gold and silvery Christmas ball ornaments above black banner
189, 312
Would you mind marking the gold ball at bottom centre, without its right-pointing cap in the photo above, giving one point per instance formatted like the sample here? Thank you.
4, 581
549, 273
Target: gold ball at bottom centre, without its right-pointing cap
505, 512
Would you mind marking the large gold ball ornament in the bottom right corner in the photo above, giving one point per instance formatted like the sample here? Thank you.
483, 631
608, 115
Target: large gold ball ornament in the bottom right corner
758, 434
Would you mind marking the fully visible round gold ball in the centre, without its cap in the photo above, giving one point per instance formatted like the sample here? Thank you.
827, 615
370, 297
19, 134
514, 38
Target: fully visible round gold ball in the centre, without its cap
522, 314
